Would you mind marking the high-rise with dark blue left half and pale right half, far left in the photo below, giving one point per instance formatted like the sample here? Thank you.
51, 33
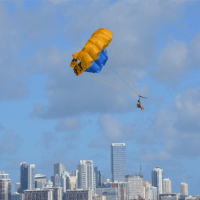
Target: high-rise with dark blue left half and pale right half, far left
27, 176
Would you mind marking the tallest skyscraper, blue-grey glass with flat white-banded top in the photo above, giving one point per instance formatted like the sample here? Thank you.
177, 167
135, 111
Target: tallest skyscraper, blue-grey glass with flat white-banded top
118, 162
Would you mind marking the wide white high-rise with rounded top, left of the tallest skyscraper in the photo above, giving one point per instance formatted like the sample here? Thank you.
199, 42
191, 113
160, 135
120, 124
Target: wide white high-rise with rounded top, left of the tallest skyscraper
86, 175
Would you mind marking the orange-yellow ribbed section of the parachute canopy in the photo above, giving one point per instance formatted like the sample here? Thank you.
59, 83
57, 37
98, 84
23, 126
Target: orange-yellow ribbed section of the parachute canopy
83, 59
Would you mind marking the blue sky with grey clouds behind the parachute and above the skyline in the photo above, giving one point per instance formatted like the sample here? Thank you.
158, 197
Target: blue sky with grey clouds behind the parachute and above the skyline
48, 115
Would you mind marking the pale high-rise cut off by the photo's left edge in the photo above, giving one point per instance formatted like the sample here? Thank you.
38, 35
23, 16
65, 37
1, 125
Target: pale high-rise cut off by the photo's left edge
5, 186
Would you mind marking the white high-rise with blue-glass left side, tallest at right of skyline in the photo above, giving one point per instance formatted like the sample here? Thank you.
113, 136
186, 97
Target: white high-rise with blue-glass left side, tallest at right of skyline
157, 179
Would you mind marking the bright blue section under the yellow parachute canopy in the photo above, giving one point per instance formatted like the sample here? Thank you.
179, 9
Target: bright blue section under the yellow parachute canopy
99, 63
